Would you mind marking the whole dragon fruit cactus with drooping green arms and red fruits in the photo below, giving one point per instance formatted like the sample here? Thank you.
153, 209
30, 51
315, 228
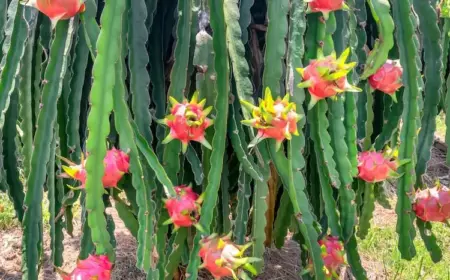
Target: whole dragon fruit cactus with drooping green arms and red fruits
196, 121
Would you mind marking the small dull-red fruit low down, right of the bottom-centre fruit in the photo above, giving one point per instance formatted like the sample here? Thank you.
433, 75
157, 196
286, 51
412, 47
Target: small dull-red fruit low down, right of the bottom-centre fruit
332, 255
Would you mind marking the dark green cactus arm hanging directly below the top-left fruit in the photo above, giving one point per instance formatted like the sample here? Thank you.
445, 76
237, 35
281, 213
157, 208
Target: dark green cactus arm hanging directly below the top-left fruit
41, 154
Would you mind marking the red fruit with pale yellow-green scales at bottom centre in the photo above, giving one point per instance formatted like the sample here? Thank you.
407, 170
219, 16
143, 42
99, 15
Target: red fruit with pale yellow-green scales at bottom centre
223, 258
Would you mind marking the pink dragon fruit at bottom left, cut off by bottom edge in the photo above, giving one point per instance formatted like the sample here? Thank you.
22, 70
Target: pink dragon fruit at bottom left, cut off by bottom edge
94, 267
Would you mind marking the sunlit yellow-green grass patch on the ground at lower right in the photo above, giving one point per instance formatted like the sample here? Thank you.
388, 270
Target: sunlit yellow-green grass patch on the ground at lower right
380, 249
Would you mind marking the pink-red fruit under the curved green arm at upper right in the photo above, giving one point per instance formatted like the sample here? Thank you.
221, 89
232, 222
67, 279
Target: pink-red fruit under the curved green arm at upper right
388, 78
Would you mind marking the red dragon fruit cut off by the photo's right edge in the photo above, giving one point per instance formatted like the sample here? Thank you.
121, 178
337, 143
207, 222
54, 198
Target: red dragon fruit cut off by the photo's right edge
433, 205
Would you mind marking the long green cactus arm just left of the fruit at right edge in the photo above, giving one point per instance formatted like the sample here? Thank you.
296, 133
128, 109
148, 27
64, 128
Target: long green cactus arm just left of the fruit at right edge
408, 134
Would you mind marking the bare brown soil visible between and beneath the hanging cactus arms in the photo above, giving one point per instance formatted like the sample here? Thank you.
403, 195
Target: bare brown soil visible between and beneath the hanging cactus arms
280, 264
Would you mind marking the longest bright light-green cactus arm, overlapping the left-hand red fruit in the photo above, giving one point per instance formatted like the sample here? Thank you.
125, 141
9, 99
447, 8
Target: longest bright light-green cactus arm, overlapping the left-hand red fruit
108, 52
